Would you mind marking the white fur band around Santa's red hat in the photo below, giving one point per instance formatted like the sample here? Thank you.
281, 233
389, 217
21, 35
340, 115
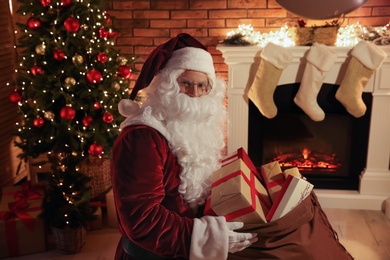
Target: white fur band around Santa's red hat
190, 58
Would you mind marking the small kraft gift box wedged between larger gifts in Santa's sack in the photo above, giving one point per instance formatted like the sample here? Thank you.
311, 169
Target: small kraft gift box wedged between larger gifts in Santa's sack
273, 178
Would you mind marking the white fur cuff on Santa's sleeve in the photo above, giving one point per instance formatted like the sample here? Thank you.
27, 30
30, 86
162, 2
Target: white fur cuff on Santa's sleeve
209, 240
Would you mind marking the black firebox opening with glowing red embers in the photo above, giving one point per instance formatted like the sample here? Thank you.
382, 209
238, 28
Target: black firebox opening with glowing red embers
330, 154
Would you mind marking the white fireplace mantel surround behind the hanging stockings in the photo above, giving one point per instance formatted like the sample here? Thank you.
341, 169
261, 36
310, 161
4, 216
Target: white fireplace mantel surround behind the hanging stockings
374, 187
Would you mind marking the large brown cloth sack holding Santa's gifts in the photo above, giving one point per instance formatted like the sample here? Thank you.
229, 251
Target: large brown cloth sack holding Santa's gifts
302, 234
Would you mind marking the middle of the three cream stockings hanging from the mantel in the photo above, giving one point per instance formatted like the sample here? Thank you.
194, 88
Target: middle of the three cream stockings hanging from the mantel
320, 59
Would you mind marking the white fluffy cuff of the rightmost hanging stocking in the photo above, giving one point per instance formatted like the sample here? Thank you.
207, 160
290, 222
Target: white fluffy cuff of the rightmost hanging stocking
370, 55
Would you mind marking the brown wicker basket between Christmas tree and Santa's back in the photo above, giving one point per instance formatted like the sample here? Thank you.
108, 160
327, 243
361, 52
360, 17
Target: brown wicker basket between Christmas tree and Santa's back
98, 169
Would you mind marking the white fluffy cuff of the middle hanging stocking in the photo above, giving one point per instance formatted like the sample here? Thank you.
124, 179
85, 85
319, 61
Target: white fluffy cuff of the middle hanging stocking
321, 56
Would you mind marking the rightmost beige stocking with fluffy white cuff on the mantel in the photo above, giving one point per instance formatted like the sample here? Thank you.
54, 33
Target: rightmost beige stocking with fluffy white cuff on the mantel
366, 58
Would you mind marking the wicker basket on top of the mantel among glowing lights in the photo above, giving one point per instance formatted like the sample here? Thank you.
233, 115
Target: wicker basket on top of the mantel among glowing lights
306, 36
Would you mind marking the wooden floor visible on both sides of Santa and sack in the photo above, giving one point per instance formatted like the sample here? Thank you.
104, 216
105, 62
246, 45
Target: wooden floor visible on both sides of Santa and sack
365, 233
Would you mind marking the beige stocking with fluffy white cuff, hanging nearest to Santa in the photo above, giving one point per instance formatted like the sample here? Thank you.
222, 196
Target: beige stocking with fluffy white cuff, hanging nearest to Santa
274, 58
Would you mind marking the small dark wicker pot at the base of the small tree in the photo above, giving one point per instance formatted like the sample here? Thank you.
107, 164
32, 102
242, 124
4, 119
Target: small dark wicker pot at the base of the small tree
69, 240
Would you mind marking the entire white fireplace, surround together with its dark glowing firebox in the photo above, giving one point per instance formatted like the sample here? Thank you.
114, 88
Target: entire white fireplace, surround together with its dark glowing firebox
363, 183
